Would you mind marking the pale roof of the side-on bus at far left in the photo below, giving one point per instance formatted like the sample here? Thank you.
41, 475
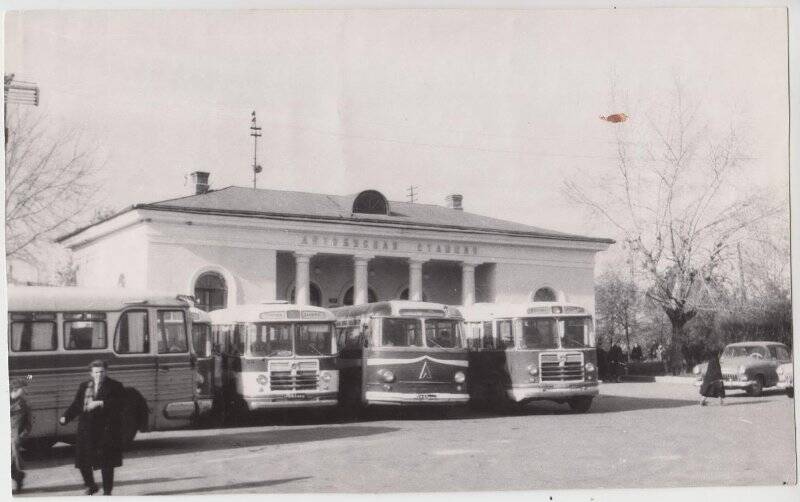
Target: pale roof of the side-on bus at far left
72, 299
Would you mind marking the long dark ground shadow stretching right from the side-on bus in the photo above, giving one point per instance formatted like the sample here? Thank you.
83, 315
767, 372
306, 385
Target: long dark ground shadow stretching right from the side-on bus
224, 439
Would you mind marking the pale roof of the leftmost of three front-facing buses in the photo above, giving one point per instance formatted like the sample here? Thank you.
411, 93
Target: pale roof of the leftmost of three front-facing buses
275, 312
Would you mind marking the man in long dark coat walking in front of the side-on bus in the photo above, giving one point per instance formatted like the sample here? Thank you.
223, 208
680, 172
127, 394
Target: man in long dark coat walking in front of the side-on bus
98, 405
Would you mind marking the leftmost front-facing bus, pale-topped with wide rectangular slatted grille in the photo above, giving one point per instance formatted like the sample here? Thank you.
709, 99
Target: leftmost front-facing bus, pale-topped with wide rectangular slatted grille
274, 355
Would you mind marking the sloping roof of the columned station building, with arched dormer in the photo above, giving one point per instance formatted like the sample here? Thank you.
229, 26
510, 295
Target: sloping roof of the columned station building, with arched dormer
280, 204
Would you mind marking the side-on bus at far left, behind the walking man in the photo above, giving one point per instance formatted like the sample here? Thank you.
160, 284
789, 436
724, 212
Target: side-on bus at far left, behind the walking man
54, 333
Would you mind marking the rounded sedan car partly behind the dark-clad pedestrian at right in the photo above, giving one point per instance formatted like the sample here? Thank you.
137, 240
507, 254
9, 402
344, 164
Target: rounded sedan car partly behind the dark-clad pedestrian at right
749, 366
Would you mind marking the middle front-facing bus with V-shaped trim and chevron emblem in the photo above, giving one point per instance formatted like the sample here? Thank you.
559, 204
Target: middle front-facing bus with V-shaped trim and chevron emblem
401, 352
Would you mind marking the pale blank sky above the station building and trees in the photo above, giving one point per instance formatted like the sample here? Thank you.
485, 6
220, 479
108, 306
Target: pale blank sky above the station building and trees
495, 105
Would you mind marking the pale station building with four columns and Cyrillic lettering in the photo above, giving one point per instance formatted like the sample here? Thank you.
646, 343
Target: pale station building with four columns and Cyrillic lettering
241, 245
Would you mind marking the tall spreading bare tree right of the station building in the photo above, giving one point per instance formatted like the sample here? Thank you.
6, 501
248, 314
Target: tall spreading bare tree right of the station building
674, 196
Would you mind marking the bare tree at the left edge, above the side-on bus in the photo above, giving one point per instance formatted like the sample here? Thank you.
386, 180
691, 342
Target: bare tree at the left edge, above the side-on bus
50, 183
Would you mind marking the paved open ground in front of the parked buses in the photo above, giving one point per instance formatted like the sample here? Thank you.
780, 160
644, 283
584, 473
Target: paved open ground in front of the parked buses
637, 435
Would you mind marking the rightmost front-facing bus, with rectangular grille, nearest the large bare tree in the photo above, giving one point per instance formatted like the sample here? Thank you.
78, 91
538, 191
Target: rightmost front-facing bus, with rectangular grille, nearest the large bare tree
542, 350
